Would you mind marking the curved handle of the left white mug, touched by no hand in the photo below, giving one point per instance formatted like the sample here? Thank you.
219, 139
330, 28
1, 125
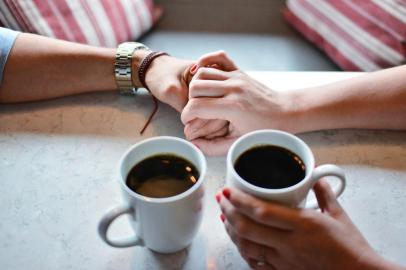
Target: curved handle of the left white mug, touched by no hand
106, 221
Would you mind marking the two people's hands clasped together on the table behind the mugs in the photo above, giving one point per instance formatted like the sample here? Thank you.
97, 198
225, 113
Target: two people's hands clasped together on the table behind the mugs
218, 101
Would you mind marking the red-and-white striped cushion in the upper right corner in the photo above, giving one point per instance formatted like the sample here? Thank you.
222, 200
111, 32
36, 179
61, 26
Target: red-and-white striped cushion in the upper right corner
358, 35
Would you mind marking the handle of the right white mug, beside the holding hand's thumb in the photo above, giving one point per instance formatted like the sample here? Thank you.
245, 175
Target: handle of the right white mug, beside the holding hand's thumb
328, 170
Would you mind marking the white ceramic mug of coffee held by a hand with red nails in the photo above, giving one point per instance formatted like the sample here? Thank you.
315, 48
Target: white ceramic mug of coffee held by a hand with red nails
293, 196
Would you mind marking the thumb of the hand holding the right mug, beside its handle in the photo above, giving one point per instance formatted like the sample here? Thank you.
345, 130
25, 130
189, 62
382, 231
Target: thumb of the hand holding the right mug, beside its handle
327, 200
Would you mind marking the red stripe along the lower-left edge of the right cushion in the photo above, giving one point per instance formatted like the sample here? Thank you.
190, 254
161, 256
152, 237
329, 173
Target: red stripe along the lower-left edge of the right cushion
320, 42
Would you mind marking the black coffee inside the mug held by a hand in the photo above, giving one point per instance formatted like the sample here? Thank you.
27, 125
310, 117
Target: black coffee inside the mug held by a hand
270, 166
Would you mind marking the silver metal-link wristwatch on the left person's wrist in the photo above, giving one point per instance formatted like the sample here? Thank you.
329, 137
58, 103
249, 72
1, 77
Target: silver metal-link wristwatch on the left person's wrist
123, 67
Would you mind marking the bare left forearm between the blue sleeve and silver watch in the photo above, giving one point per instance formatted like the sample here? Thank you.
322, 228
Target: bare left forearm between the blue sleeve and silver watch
42, 68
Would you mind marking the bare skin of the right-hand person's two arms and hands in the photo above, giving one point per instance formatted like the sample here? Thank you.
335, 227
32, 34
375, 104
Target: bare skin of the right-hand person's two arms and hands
278, 236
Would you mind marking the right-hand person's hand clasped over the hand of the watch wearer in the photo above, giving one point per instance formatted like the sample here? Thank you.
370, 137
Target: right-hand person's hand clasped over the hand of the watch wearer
232, 96
